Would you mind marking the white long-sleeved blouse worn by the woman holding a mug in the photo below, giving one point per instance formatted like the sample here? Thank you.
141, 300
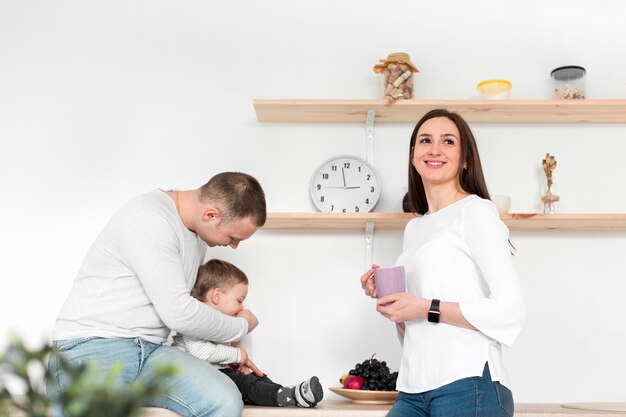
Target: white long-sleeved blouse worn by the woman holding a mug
461, 254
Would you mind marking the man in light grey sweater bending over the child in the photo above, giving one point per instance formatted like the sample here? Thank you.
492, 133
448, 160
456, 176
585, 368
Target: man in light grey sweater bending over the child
134, 286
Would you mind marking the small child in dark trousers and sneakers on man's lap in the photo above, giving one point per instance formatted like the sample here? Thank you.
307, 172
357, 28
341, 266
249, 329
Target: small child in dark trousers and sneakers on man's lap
224, 287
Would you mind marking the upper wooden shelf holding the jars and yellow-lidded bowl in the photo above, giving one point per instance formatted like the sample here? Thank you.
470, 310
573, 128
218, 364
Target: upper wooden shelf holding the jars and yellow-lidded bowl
473, 111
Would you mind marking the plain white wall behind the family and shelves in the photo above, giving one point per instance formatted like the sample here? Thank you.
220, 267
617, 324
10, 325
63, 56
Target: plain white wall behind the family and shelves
103, 100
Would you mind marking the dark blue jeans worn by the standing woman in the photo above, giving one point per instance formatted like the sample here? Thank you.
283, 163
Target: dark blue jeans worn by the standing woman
467, 397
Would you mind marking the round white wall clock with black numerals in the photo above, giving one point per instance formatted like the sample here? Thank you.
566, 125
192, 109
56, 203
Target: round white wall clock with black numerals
345, 184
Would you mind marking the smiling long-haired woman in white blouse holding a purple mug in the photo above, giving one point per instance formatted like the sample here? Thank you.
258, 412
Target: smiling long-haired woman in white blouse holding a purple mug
463, 300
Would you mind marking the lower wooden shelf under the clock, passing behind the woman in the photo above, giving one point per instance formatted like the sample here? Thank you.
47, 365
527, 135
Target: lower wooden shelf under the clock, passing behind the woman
393, 221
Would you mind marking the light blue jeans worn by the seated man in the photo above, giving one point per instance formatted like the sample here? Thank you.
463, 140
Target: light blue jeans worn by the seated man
198, 389
